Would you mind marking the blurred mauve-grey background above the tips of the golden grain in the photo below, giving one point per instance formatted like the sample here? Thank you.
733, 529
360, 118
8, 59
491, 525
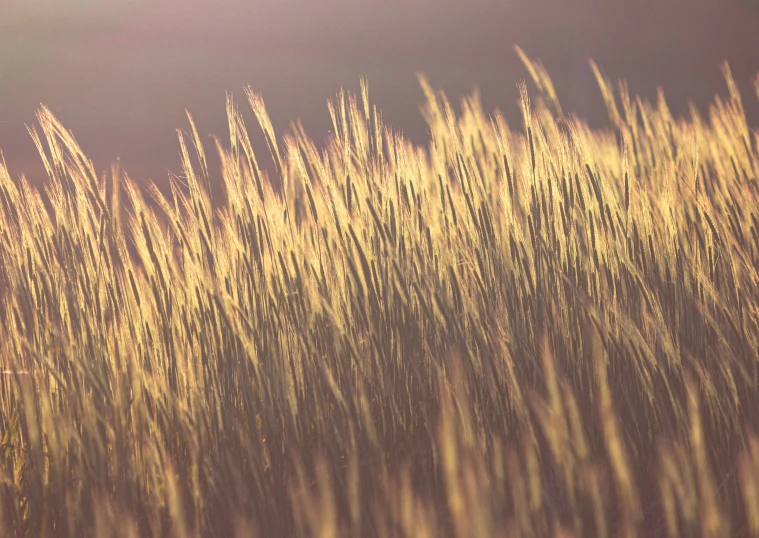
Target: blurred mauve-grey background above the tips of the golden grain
120, 73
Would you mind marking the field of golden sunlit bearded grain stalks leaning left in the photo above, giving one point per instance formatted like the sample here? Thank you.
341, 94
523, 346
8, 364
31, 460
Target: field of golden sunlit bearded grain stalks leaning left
536, 331
